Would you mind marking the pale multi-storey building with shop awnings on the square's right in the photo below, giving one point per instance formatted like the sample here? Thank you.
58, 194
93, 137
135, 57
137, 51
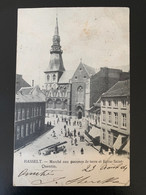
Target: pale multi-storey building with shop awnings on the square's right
115, 117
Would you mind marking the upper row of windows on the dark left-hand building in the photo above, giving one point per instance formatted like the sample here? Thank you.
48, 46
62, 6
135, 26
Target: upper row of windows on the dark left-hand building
22, 113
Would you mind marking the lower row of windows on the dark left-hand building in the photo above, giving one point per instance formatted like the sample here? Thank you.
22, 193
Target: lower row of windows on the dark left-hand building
26, 130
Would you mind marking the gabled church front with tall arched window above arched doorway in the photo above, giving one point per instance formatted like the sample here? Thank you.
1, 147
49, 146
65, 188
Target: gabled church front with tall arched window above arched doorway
81, 96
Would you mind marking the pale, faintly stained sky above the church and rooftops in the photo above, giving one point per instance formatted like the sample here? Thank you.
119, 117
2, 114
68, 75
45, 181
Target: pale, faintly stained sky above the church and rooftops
97, 36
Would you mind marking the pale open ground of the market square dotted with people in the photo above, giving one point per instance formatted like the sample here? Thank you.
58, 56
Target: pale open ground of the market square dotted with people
57, 134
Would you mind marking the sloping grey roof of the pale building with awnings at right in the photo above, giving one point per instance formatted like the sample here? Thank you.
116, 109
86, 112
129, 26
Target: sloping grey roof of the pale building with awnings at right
121, 88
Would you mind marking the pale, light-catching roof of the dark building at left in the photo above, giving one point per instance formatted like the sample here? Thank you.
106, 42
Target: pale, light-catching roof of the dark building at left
30, 94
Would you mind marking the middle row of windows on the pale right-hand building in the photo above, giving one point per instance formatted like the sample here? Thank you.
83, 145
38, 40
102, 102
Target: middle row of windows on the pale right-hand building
109, 119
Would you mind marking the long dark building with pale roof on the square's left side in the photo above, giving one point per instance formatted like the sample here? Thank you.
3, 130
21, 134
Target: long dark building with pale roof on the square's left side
29, 115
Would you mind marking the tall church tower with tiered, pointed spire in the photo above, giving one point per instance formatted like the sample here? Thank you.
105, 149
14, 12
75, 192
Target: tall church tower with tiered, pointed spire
56, 67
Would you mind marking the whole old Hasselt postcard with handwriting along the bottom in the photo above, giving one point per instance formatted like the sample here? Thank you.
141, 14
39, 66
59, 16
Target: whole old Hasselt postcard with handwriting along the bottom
72, 102
